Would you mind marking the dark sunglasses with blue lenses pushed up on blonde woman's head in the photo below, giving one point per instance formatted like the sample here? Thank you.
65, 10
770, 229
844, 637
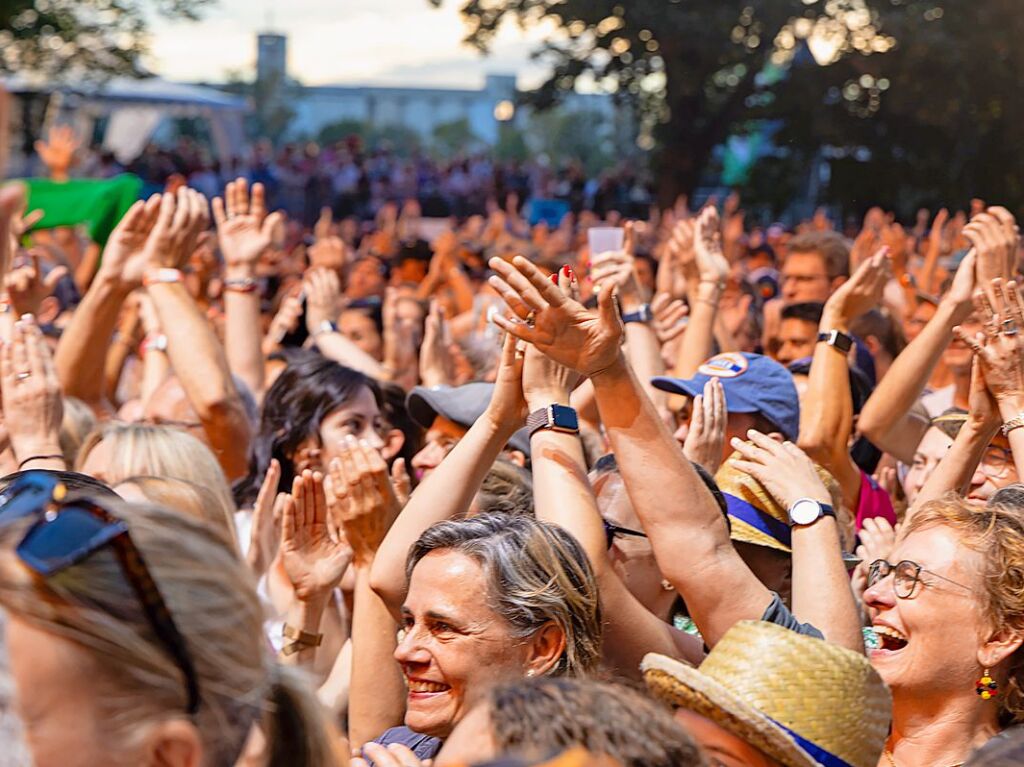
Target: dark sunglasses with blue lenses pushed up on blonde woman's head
68, 532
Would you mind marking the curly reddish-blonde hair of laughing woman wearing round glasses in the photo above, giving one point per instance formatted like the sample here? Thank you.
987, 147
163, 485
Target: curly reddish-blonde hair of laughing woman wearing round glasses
997, 532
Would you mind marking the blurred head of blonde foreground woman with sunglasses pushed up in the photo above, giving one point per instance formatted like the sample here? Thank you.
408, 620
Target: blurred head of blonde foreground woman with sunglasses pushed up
135, 637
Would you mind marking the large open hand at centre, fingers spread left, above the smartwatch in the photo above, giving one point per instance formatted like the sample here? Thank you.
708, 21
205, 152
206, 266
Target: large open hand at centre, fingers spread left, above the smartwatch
586, 342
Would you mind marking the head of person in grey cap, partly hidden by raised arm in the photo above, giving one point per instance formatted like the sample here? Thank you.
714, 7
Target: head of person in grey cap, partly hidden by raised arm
447, 413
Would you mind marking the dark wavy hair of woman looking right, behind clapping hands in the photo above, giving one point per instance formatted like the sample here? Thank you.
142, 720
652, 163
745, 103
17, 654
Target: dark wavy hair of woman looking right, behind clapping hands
309, 390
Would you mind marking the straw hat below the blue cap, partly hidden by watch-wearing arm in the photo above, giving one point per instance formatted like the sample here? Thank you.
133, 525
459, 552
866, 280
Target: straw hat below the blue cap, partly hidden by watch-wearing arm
755, 515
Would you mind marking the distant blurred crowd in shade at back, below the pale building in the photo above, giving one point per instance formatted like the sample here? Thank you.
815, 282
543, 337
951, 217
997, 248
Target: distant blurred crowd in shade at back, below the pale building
358, 182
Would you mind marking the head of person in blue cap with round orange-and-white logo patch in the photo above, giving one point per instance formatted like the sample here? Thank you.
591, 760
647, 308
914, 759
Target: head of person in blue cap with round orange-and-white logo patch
759, 395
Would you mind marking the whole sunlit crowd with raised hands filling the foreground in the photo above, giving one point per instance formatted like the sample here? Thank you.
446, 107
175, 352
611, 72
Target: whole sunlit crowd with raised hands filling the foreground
494, 493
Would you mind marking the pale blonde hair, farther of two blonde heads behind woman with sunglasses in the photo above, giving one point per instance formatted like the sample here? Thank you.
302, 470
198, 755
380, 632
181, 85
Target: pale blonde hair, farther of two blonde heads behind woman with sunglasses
141, 450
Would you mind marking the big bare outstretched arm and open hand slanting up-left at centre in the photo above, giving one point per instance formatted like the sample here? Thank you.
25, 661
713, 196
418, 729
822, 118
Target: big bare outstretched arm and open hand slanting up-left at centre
717, 585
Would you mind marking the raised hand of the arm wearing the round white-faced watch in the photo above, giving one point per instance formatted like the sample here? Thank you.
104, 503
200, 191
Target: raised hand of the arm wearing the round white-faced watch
783, 468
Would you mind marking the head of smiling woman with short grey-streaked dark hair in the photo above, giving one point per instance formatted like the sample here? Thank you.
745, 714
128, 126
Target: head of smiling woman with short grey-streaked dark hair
492, 600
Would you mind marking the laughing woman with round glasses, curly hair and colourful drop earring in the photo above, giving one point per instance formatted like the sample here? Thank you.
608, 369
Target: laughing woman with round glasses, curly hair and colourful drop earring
956, 566
